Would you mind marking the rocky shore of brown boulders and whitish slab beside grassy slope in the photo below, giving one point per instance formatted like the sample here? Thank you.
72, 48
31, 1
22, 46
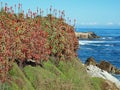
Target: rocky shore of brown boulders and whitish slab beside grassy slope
103, 70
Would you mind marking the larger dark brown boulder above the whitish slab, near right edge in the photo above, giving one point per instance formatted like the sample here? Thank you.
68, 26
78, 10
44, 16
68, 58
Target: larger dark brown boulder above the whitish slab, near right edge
107, 66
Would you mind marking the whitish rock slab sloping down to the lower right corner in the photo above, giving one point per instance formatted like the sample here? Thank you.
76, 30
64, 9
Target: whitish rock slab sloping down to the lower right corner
95, 71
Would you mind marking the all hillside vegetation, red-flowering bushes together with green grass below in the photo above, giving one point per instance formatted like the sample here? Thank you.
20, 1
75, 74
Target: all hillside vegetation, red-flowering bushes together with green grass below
39, 52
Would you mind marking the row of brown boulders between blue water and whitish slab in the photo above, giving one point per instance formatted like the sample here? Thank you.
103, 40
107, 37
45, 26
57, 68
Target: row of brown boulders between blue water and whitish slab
104, 65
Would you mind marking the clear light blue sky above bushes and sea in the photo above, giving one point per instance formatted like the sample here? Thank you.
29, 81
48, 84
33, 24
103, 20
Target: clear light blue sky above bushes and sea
88, 13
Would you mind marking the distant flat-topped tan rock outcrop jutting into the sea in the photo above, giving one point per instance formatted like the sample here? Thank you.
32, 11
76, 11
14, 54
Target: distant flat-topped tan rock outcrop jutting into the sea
86, 35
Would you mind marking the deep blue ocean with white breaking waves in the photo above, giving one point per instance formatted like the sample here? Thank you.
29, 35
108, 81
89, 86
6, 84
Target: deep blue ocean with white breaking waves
107, 47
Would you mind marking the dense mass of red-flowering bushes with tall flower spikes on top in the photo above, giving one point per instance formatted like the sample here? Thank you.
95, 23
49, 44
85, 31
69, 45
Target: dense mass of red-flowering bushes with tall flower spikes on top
34, 37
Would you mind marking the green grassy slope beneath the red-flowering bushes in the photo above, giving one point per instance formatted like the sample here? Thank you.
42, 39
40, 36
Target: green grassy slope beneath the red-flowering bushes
69, 75
